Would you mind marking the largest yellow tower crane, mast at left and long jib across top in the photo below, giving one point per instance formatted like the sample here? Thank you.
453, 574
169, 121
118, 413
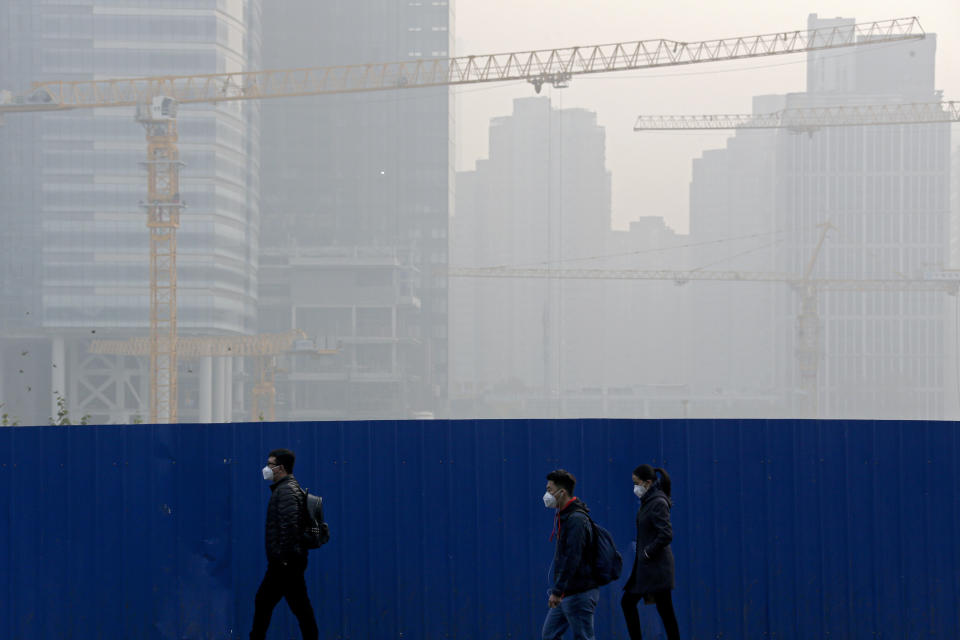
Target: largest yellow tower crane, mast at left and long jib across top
156, 99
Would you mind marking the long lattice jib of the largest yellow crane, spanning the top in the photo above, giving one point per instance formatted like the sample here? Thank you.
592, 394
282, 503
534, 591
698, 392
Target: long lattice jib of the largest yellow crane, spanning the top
537, 67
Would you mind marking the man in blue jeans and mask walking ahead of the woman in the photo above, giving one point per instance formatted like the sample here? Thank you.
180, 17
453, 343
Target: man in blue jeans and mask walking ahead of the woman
574, 593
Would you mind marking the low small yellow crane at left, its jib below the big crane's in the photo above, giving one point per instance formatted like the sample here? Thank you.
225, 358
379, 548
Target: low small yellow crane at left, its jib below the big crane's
264, 347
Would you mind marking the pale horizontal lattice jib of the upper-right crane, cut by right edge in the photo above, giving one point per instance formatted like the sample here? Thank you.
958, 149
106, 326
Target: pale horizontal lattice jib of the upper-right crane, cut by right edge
810, 118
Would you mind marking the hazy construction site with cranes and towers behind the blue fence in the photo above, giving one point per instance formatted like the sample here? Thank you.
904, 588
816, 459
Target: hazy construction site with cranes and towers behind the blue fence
213, 215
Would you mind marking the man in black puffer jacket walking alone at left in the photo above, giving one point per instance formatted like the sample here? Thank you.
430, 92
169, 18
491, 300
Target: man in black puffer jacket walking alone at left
286, 557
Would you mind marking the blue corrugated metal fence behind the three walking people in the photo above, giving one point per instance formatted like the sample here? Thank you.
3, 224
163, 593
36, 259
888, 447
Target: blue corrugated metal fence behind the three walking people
783, 529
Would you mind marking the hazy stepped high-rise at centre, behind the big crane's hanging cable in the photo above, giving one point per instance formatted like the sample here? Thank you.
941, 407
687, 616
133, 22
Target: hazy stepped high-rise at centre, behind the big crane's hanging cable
540, 199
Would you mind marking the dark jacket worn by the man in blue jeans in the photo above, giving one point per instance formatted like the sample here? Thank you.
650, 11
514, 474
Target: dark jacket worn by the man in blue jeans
572, 559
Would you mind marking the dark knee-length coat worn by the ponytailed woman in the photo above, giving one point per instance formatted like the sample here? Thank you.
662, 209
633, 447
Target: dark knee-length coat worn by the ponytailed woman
653, 569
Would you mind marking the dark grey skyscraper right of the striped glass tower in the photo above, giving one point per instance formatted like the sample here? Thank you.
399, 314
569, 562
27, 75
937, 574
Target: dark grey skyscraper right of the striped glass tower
355, 214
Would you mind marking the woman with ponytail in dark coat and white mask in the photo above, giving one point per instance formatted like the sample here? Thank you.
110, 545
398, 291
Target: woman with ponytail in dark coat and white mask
652, 578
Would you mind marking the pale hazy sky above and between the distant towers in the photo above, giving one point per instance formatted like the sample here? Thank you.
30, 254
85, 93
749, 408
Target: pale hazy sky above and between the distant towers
651, 171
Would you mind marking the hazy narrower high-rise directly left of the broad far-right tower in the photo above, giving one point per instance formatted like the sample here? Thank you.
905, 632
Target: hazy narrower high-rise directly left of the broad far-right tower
730, 339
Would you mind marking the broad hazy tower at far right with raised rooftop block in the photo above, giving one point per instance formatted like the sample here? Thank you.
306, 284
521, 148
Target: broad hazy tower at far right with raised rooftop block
884, 191
